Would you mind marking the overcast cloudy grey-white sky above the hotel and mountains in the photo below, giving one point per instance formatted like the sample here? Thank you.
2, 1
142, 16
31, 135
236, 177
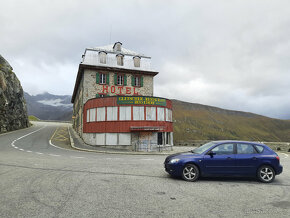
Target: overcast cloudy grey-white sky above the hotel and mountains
225, 53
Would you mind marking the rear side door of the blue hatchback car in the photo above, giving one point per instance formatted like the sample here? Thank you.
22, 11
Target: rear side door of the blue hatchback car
247, 159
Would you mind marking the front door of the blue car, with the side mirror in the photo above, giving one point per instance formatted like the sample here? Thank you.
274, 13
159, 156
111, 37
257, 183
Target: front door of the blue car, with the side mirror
221, 161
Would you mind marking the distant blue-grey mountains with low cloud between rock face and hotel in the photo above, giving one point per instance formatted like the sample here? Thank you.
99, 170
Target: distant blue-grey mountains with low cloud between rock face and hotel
49, 107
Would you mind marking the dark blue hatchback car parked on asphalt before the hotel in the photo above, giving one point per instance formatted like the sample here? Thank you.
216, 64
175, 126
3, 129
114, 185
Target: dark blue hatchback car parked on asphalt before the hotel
226, 158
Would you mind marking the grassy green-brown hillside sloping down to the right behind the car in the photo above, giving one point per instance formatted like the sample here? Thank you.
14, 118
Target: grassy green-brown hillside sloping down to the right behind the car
200, 122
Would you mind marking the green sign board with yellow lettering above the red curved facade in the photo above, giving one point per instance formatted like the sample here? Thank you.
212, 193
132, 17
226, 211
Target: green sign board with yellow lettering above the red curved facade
141, 100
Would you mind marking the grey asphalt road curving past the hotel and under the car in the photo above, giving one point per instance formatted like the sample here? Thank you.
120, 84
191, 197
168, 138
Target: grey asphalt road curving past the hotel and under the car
40, 180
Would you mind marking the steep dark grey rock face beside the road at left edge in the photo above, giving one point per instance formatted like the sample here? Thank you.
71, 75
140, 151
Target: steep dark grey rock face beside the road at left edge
13, 112
